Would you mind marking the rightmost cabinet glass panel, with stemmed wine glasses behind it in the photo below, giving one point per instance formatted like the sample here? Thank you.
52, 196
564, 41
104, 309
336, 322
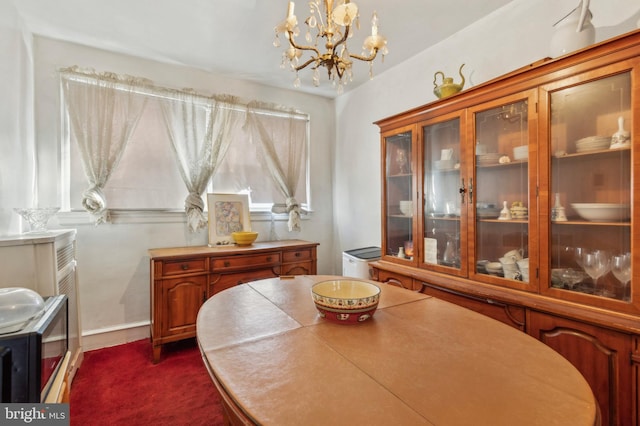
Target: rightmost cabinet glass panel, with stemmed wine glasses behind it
591, 188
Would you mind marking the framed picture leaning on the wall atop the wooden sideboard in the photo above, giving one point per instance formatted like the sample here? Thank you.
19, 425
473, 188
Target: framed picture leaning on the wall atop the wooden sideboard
227, 213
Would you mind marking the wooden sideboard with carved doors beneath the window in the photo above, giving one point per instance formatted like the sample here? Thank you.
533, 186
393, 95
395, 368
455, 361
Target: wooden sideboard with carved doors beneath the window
183, 278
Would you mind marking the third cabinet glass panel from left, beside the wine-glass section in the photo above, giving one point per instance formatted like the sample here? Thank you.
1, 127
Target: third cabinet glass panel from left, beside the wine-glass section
501, 191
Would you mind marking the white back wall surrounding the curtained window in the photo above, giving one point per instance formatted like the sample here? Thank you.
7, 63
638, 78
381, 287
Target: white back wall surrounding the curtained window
113, 265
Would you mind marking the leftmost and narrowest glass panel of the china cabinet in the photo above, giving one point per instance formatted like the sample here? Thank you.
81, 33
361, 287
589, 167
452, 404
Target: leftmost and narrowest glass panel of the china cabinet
399, 196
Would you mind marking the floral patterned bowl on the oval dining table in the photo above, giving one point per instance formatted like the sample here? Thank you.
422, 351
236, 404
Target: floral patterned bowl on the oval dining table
346, 301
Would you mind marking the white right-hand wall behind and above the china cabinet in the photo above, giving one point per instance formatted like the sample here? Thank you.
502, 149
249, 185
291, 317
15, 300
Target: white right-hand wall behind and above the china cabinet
512, 37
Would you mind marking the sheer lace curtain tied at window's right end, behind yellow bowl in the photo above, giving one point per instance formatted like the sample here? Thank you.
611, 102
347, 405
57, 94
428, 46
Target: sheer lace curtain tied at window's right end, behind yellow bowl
283, 153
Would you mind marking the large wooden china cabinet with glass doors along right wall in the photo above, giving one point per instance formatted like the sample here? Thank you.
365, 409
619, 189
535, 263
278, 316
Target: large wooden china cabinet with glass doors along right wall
522, 207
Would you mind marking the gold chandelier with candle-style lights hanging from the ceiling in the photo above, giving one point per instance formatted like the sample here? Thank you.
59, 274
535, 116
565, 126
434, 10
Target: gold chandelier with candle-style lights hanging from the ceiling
334, 26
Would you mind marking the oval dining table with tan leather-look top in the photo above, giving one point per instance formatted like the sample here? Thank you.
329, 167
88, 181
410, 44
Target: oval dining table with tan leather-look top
418, 361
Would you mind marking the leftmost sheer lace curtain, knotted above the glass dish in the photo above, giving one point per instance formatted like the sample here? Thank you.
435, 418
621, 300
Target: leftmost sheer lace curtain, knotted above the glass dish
103, 110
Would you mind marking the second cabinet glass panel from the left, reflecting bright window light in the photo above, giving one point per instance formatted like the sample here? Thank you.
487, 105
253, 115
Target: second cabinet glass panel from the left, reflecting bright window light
442, 200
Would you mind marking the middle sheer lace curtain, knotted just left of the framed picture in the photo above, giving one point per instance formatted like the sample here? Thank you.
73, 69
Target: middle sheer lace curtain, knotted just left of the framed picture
200, 129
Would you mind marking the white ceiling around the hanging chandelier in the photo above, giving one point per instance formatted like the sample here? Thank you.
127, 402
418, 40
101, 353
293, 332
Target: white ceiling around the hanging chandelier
234, 37
